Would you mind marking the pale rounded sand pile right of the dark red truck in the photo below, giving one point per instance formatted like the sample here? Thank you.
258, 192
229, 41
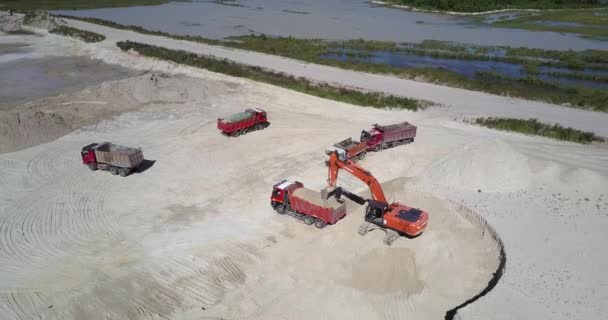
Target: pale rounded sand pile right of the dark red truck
489, 165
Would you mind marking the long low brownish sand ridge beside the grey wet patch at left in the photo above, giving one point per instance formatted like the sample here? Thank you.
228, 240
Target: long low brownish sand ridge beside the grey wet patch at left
47, 119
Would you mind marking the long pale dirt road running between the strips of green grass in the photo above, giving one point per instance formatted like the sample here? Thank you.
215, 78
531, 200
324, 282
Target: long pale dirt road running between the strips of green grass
462, 103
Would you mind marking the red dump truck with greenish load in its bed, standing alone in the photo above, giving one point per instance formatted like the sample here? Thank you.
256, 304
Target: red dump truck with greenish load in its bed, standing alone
243, 122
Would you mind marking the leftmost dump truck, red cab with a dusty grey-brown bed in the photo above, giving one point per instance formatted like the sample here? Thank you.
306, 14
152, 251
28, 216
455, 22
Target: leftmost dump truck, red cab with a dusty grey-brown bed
112, 157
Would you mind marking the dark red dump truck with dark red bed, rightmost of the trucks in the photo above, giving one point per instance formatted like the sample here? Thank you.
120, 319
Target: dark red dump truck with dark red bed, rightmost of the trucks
382, 137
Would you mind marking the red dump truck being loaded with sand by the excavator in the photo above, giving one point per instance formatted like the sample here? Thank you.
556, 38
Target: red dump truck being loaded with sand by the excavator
292, 198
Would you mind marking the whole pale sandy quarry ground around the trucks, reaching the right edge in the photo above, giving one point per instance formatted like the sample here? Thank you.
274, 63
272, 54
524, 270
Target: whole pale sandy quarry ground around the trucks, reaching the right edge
194, 237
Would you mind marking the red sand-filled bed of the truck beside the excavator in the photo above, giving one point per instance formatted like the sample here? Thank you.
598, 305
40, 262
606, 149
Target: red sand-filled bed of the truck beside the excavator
310, 203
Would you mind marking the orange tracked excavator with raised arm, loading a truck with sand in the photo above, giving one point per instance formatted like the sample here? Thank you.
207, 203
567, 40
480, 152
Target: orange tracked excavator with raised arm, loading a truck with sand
396, 219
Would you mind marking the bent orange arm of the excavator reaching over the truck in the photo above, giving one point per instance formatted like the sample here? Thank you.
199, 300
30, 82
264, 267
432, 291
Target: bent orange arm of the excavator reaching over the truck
337, 161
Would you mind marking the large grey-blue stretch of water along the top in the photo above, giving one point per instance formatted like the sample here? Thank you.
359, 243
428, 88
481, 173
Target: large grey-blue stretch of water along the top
326, 19
